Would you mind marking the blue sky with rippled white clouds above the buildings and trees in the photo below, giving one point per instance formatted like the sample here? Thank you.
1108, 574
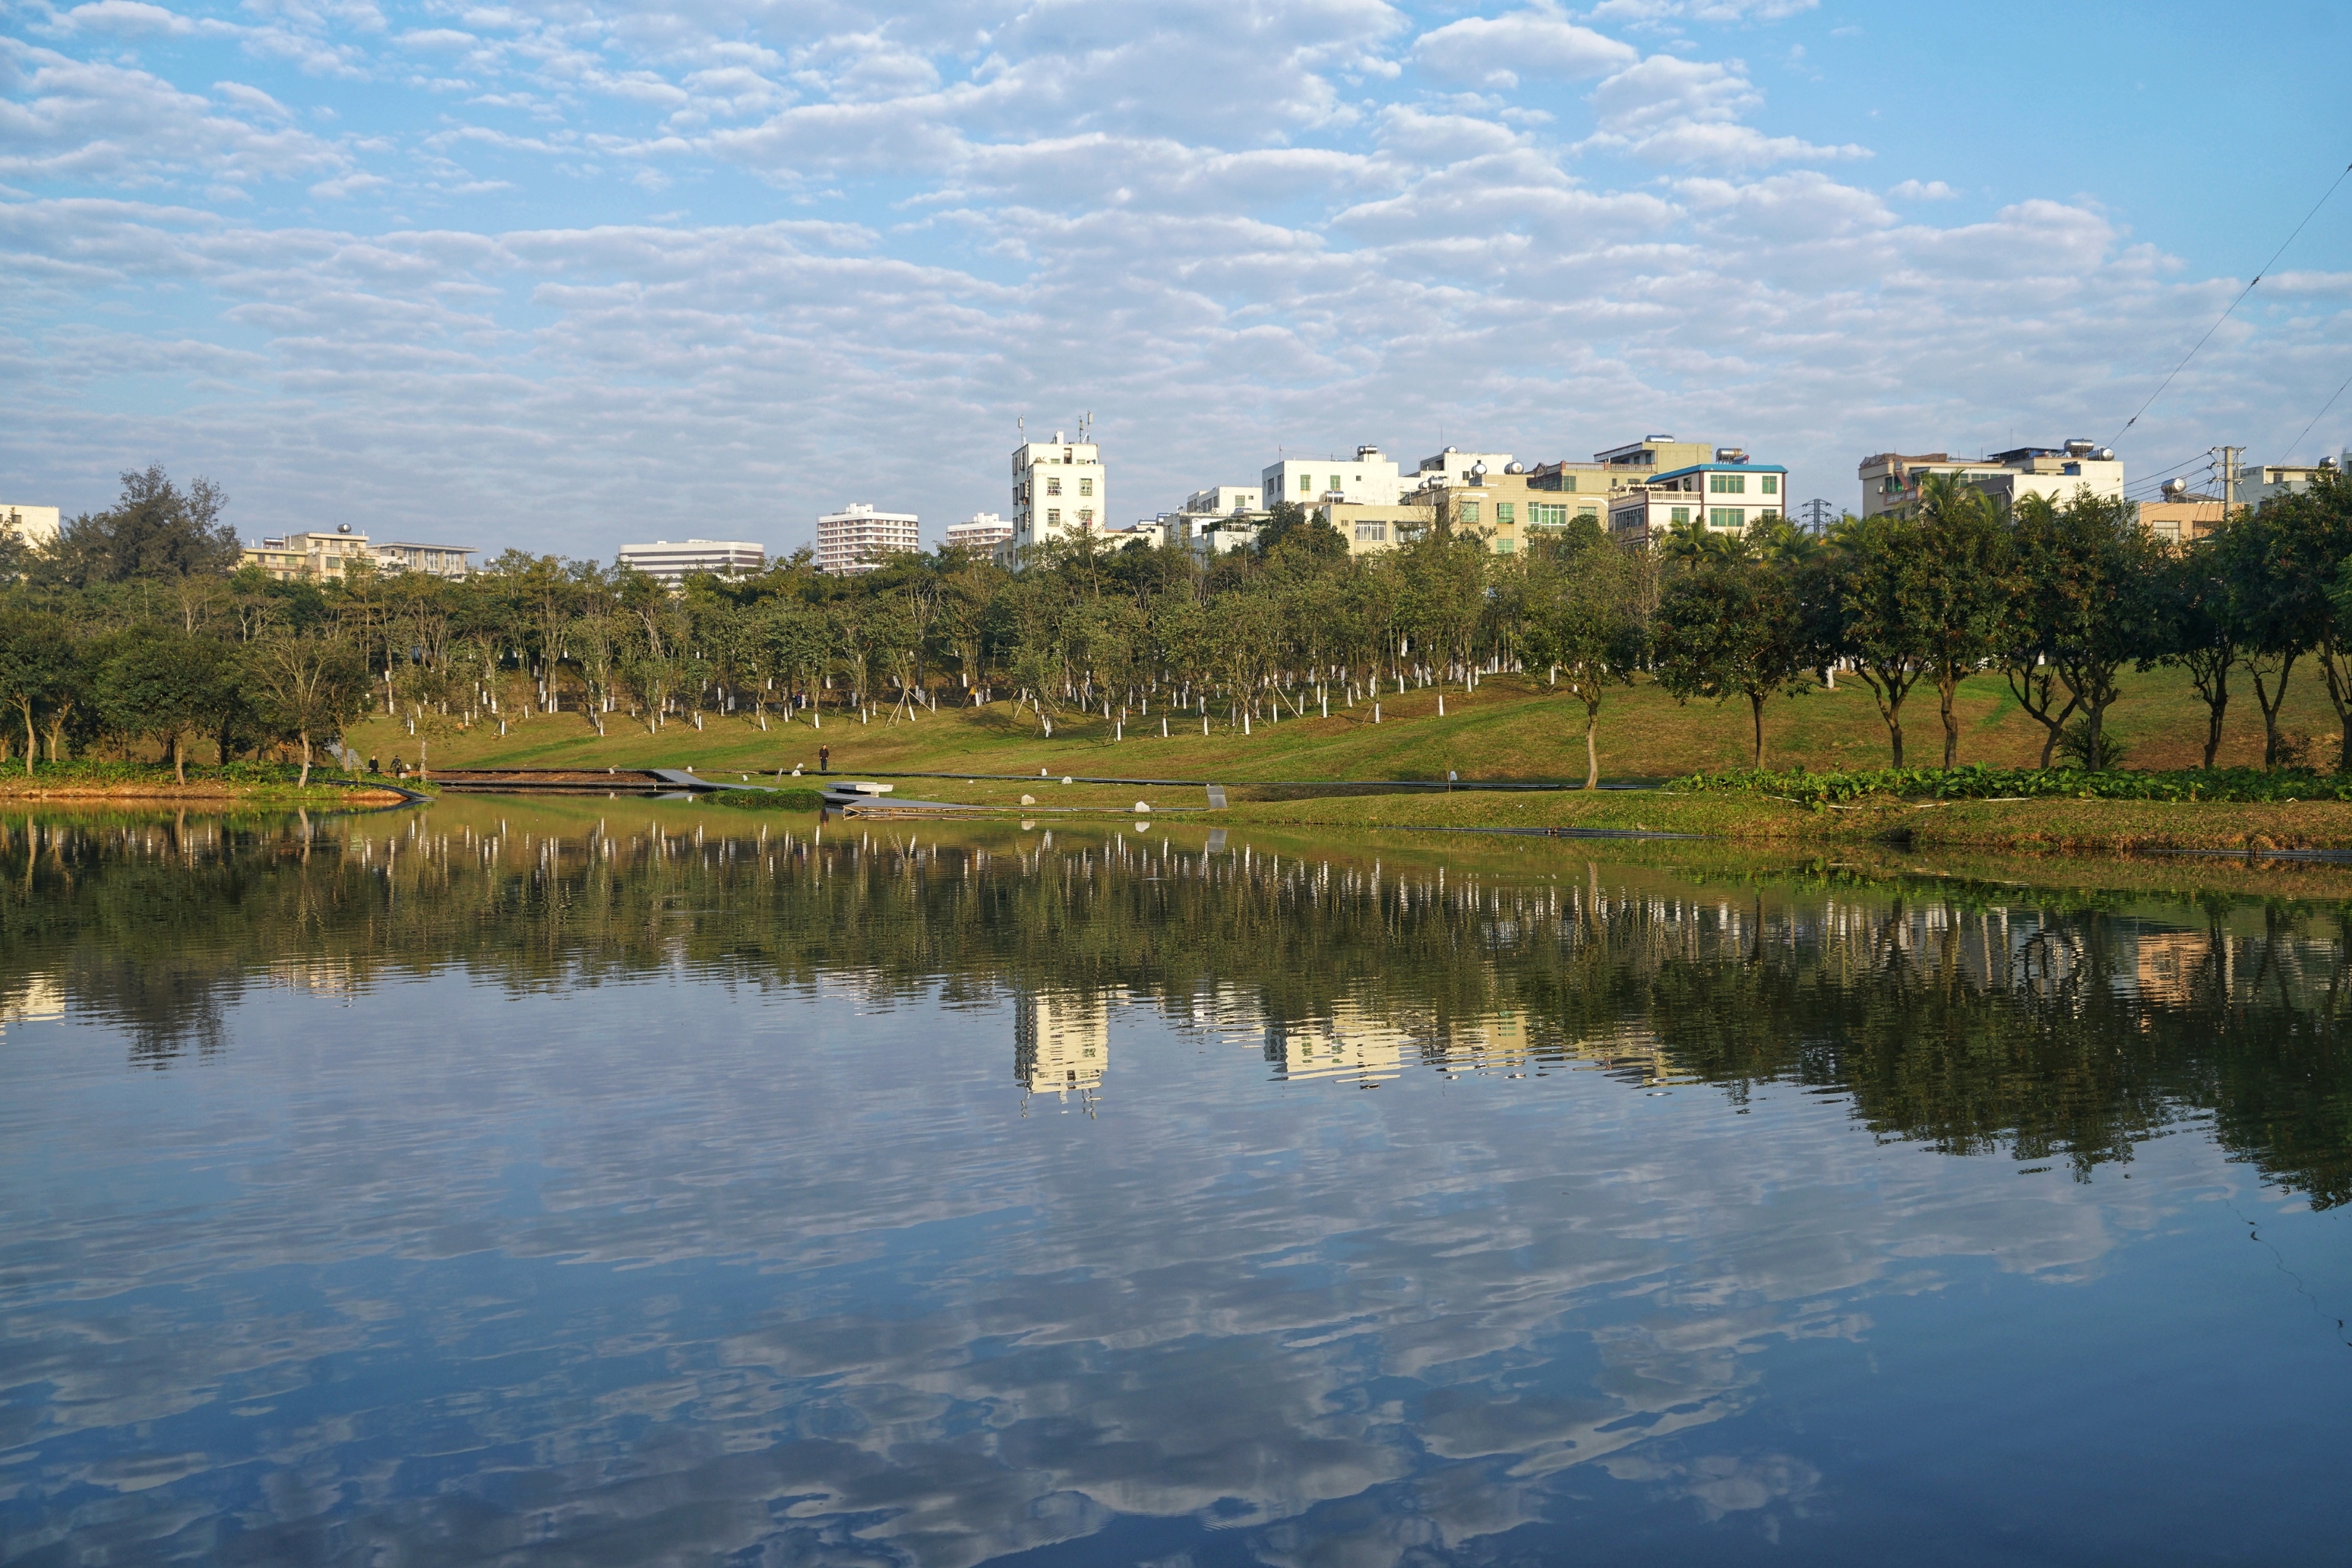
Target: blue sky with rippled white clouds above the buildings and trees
575, 274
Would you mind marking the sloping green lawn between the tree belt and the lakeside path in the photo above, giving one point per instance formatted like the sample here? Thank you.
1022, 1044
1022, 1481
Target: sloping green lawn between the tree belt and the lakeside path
1509, 728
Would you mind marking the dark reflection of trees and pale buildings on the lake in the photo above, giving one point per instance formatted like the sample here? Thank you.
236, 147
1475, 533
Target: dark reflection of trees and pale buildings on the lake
2047, 1026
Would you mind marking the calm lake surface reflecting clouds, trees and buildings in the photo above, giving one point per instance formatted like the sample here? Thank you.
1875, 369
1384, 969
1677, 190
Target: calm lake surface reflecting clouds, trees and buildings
634, 1184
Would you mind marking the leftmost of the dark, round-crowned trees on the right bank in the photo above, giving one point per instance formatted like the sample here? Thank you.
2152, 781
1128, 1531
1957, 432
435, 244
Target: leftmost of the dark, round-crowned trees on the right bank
1732, 629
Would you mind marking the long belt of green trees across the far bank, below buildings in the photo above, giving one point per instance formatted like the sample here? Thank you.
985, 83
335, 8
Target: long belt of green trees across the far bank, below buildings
138, 629
